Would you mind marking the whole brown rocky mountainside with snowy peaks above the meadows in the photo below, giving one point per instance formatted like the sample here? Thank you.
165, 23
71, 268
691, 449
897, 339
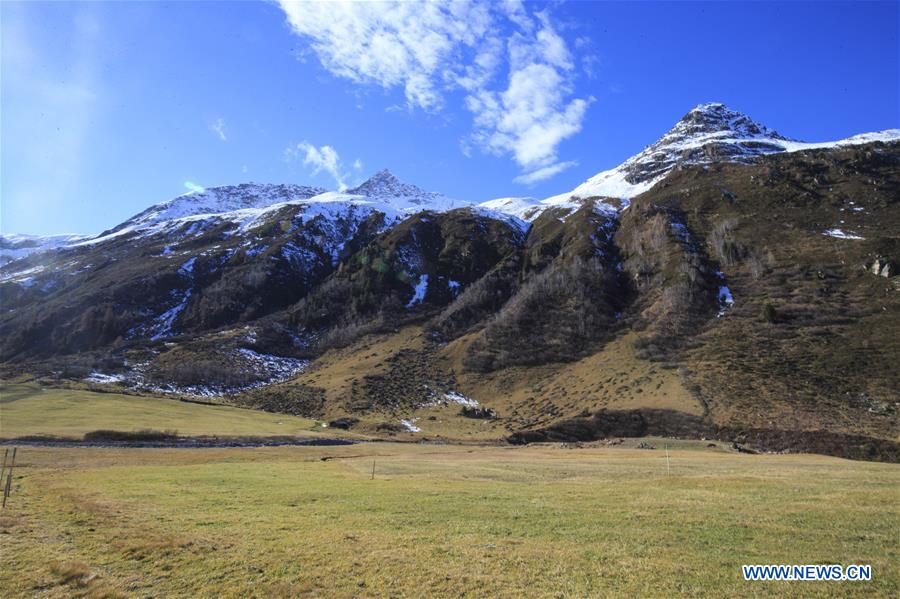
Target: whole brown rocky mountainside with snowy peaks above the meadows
725, 281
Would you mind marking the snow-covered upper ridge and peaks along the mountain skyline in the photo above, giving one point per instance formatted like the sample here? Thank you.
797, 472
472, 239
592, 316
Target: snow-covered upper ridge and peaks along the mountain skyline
709, 133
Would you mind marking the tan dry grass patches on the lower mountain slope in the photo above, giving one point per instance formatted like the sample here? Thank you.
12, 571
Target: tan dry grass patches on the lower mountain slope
613, 378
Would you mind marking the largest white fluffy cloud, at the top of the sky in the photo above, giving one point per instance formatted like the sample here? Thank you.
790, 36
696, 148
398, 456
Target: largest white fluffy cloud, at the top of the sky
516, 72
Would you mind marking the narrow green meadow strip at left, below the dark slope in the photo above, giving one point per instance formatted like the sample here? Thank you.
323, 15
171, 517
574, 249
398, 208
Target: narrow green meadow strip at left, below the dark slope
27, 409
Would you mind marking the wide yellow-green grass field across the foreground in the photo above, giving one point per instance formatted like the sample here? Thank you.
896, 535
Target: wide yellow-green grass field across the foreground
441, 521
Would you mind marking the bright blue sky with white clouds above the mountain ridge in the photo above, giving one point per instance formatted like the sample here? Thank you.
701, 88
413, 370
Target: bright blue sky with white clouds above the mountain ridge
110, 107
